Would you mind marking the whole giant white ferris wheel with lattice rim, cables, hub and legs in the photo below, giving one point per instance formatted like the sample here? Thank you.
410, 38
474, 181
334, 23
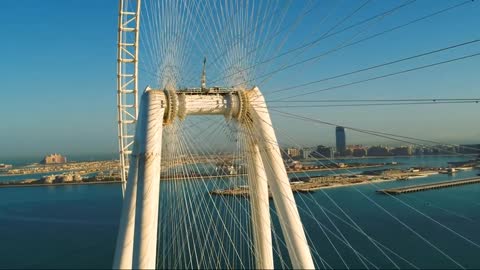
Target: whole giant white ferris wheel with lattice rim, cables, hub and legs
246, 43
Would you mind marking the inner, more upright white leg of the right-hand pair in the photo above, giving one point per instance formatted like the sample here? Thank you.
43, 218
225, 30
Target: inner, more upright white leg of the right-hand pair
259, 203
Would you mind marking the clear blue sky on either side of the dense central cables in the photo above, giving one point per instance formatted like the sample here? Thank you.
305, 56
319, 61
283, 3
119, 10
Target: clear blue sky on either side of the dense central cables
58, 70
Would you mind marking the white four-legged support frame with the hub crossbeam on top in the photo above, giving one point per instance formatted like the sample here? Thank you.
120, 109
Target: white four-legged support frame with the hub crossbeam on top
137, 239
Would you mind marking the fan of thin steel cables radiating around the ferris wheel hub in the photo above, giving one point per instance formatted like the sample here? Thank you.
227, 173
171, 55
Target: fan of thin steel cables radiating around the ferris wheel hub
247, 43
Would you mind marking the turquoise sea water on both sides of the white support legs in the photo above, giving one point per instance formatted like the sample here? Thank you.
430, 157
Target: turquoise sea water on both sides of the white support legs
76, 226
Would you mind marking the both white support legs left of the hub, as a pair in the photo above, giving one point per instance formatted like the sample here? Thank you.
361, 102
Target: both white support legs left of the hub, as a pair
137, 236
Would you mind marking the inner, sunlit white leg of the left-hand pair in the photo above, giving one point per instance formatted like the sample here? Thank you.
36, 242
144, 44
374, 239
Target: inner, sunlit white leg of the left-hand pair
148, 186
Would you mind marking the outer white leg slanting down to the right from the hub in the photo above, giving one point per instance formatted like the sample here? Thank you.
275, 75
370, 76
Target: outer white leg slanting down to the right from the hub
279, 183
